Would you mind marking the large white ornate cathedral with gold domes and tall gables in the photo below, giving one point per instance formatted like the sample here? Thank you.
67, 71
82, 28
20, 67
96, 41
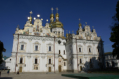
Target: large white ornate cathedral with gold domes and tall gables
38, 48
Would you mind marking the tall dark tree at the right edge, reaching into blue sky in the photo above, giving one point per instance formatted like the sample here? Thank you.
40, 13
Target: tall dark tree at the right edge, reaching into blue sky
115, 33
